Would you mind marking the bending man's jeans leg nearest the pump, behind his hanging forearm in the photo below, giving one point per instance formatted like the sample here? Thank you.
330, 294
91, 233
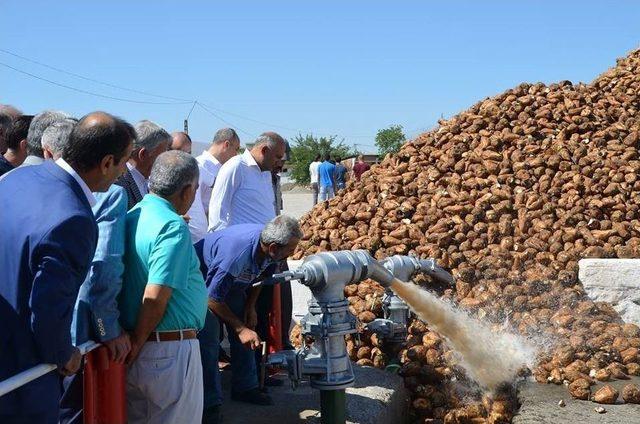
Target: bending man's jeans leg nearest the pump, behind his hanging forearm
243, 365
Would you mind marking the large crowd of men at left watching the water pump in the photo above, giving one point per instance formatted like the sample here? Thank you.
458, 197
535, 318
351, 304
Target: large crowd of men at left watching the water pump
115, 233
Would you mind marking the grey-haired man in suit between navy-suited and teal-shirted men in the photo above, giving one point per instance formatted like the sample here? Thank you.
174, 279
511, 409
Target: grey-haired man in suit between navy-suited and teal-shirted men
151, 141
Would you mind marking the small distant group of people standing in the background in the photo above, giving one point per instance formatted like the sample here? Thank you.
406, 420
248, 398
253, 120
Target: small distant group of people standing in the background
330, 175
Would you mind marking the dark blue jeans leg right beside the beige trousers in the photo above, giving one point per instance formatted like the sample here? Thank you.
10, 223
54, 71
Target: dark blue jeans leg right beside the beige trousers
209, 338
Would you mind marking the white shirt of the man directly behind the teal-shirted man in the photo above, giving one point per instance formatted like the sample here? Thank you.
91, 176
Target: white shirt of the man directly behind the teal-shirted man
198, 221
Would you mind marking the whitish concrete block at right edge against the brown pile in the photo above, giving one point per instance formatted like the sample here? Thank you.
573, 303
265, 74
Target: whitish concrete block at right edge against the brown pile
616, 281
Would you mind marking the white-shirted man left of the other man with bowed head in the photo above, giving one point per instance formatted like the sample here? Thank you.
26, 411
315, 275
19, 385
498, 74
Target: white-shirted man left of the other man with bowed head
224, 146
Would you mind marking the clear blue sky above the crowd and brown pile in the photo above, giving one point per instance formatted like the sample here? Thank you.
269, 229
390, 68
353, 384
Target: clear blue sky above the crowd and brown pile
343, 68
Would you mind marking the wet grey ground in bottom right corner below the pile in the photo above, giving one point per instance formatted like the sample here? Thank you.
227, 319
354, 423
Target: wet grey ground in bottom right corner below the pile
540, 405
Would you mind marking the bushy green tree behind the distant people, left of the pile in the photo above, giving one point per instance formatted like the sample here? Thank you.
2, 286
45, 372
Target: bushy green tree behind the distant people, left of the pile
304, 148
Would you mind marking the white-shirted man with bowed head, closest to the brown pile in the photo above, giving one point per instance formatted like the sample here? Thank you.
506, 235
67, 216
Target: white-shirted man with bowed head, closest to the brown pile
243, 192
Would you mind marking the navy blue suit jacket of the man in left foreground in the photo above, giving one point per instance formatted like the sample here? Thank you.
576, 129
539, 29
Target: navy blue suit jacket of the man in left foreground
48, 238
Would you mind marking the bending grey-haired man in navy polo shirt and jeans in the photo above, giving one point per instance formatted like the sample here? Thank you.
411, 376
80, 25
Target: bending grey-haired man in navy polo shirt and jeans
232, 260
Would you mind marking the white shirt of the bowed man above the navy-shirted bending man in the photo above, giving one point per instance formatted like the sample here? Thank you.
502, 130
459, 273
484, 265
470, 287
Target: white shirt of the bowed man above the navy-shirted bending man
242, 194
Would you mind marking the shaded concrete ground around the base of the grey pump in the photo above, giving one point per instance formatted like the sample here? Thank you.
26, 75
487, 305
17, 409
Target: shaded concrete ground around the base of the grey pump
377, 397
